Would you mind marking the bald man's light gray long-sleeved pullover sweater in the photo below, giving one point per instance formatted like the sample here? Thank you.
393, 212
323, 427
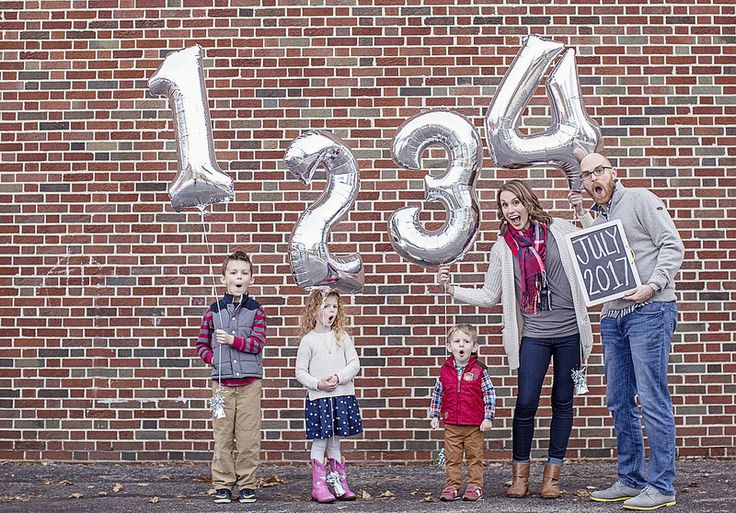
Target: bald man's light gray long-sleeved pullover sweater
652, 236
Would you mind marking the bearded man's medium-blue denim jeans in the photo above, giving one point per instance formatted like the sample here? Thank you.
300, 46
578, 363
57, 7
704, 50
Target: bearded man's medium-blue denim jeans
636, 349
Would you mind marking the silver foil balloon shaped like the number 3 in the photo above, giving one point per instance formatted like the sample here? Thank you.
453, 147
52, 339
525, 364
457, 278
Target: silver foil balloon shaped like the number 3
454, 189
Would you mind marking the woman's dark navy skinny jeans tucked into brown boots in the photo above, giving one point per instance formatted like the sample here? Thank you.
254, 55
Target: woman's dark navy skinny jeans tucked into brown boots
534, 357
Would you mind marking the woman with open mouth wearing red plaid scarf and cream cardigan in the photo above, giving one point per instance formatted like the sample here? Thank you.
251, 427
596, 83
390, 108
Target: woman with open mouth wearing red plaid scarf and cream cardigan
544, 317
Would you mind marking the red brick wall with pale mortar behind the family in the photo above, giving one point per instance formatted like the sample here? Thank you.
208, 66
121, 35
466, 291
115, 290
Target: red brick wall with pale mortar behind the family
102, 285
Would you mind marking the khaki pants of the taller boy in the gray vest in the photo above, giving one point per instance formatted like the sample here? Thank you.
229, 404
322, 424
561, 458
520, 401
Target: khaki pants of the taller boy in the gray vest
240, 430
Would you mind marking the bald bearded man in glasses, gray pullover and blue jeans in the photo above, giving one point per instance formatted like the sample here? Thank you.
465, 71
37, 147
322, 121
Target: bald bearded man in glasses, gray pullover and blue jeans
636, 332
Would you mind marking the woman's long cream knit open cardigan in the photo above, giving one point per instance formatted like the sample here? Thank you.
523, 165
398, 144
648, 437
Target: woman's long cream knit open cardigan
499, 284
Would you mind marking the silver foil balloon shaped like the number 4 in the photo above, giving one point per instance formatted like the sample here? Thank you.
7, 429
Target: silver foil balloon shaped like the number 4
571, 133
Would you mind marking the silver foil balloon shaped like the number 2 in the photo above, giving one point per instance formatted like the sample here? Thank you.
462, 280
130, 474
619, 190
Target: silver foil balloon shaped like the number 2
311, 261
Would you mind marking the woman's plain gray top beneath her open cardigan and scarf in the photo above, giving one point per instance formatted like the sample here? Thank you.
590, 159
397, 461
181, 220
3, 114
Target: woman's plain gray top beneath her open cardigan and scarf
561, 320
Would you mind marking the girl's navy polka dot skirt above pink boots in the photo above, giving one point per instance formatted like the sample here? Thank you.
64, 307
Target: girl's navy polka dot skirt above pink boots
332, 416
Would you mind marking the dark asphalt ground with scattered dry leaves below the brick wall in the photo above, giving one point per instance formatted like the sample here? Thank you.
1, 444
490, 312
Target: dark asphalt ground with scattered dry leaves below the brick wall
701, 485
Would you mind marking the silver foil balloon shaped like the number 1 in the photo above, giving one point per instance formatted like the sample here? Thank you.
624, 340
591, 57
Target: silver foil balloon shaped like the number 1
200, 181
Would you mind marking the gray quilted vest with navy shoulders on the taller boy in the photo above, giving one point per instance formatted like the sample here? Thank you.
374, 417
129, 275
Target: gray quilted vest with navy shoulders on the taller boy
237, 320
